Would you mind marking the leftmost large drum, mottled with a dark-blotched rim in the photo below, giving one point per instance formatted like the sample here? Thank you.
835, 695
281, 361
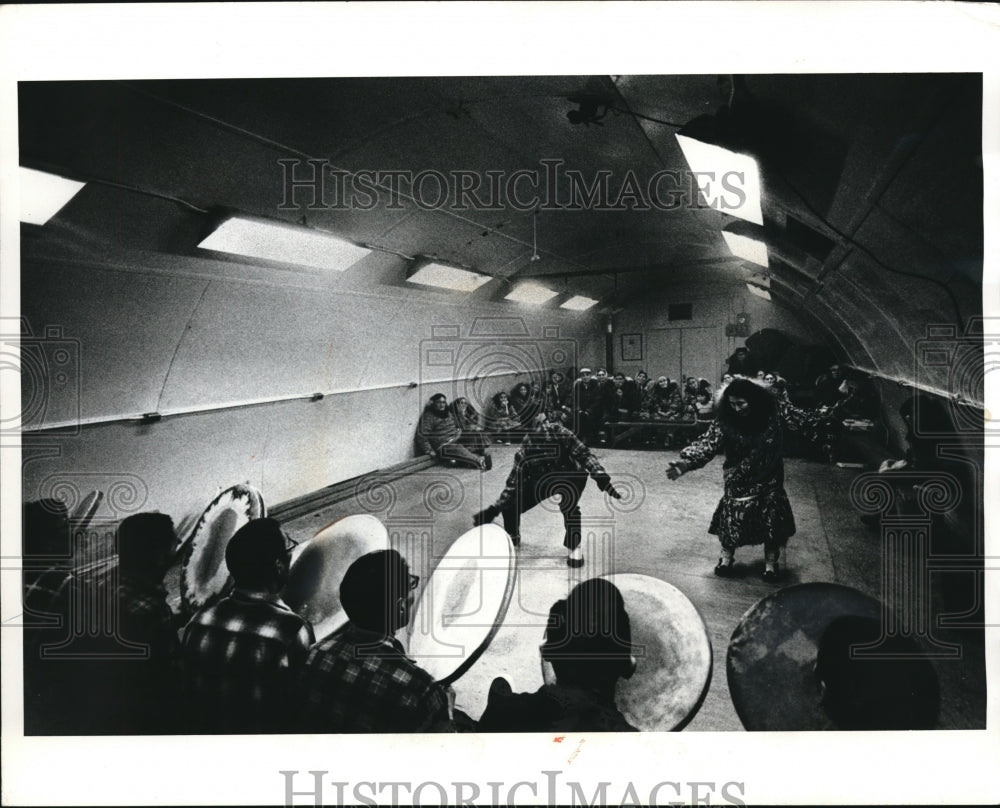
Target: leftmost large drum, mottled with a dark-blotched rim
205, 576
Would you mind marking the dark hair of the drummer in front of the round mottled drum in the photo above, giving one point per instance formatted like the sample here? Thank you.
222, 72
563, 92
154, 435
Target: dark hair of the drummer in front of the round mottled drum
589, 636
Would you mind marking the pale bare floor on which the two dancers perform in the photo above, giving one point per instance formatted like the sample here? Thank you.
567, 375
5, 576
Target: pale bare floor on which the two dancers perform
659, 529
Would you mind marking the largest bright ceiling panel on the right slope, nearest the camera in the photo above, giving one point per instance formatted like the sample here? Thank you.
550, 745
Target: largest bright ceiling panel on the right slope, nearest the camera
727, 181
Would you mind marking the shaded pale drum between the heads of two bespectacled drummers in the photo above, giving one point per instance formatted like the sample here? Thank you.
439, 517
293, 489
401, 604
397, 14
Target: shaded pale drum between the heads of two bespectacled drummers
319, 565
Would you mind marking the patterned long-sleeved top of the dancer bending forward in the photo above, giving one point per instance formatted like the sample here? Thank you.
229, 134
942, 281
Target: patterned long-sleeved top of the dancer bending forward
550, 447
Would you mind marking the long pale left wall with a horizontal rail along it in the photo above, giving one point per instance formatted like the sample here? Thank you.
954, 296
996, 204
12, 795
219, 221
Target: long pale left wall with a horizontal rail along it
179, 335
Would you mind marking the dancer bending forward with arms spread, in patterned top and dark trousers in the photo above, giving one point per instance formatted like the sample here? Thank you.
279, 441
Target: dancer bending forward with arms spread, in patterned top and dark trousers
551, 460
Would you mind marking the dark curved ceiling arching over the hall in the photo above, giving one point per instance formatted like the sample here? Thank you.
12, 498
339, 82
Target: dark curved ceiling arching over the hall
872, 184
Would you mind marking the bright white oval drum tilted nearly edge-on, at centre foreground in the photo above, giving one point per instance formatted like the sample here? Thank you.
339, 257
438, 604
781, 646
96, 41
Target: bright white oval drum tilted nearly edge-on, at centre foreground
463, 603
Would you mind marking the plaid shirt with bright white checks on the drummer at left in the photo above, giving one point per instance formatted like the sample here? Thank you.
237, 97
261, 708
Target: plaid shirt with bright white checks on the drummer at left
239, 659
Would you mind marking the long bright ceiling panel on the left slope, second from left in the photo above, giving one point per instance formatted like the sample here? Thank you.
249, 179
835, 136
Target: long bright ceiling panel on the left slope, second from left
284, 243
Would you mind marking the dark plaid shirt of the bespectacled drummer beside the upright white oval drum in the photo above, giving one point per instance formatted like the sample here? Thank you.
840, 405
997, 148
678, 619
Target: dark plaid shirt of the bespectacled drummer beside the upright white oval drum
360, 681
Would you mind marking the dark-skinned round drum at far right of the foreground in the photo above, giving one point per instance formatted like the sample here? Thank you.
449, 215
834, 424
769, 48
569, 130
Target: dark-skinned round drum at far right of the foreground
773, 650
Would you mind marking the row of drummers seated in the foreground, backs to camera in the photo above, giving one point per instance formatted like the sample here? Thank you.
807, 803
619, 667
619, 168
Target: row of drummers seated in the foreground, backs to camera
249, 664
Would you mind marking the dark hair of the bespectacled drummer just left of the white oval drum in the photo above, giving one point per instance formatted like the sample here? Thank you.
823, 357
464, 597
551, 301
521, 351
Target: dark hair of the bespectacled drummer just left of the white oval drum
372, 587
